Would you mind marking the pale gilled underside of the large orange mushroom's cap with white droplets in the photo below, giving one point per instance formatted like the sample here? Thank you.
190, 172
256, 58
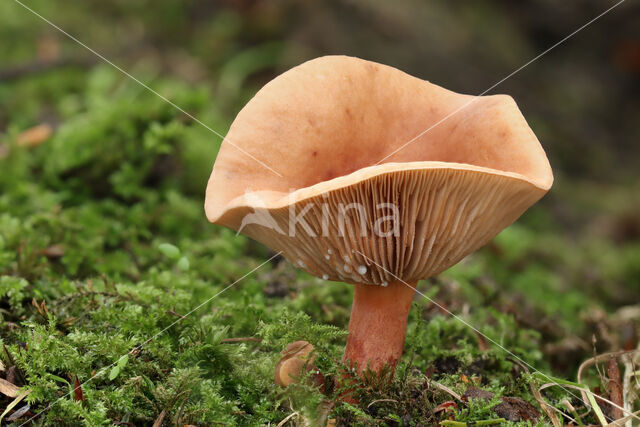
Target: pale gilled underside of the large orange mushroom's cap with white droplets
385, 223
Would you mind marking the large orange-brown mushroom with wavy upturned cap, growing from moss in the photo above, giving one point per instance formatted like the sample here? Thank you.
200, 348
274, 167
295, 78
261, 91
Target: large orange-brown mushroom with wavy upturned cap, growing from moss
369, 176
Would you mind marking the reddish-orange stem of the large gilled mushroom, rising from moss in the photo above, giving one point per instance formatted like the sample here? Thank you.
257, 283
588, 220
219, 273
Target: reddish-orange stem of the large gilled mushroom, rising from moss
378, 325
